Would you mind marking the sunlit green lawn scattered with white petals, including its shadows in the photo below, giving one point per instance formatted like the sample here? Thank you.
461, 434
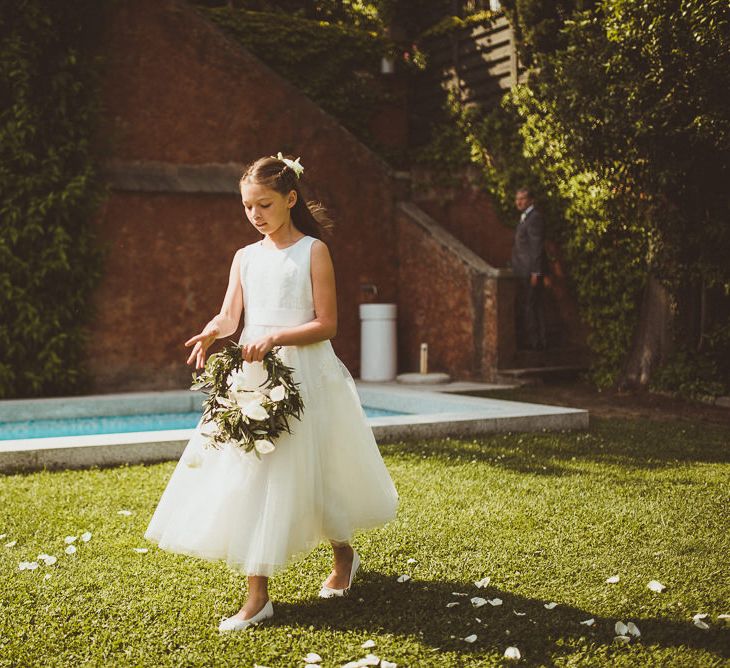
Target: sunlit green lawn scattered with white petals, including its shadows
547, 516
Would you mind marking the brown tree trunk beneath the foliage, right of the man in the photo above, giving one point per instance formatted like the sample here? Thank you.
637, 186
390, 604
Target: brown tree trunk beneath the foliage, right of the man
653, 340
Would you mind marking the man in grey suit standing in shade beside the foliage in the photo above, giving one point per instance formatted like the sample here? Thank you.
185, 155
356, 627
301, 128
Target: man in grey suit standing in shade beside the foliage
529, 263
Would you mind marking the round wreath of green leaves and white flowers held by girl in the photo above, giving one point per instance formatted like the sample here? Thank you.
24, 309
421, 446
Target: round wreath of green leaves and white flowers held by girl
248, 404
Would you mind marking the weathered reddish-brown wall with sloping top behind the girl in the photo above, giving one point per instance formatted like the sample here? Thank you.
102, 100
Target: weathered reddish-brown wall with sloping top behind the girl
177, 91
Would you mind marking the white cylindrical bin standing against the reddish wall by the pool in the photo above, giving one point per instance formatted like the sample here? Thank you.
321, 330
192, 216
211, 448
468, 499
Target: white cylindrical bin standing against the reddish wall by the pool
378, 342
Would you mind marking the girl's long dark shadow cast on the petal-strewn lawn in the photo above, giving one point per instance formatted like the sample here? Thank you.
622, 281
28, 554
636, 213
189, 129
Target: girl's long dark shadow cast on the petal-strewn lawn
379, 604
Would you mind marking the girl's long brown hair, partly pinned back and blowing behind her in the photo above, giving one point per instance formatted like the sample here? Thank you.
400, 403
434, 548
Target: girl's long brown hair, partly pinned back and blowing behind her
310, 218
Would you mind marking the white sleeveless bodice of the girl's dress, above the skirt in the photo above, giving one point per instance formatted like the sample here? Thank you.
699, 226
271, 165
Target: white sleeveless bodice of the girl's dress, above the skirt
277, 284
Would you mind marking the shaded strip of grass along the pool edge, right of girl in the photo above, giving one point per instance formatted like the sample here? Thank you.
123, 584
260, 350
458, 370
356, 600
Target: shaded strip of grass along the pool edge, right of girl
634, 444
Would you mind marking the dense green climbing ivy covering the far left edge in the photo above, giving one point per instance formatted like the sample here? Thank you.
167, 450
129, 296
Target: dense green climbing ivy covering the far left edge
49, 190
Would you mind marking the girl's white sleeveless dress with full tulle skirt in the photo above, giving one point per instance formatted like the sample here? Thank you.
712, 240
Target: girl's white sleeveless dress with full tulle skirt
323, 481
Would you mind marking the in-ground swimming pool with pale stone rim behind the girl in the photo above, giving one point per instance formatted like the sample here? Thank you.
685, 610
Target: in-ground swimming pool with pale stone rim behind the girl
152, 433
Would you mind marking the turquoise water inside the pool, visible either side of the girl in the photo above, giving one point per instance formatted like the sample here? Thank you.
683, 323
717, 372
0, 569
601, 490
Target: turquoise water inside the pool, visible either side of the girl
116, 424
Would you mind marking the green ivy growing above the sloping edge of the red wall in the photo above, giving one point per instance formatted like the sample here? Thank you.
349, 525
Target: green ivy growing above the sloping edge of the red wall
336, 65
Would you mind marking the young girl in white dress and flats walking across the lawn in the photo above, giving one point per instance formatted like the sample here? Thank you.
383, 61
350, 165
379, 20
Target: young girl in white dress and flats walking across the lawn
326, 478
